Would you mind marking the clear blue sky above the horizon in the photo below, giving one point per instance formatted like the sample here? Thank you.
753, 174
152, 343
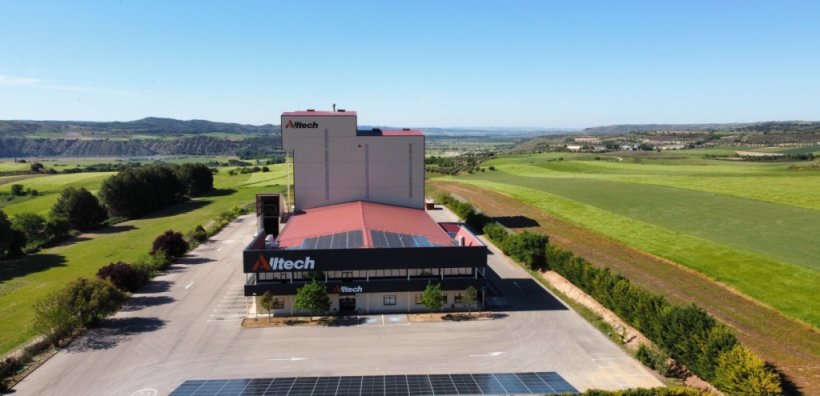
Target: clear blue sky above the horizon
419, 63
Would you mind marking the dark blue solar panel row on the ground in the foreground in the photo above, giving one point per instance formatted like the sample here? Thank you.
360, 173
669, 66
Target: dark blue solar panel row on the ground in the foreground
439, 384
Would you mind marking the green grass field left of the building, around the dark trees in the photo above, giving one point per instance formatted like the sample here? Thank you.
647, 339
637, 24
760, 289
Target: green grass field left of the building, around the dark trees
27, 279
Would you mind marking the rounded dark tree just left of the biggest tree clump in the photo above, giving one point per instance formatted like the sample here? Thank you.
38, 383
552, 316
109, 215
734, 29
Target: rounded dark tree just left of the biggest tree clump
81, 208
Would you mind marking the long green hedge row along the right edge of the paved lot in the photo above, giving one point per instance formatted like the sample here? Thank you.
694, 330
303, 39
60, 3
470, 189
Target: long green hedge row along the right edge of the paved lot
688, 334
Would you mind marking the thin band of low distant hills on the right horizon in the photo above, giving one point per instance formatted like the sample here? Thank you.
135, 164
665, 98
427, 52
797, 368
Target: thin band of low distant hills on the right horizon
769, 126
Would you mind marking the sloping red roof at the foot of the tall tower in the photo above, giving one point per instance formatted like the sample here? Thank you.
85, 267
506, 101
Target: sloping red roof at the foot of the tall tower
361, 216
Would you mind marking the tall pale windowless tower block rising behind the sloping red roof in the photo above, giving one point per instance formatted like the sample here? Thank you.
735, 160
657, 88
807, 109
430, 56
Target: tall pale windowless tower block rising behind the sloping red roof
394, 173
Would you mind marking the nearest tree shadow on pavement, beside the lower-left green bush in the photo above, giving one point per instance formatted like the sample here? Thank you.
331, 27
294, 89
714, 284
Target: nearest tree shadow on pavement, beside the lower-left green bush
111, 332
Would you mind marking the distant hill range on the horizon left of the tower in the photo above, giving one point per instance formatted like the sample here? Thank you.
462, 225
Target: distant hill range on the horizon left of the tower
145, 137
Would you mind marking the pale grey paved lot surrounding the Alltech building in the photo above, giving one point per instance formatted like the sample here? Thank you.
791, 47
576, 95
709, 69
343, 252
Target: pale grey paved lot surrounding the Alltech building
179, 329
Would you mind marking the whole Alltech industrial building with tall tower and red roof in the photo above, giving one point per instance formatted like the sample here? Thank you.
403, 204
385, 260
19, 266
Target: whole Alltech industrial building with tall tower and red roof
357, 222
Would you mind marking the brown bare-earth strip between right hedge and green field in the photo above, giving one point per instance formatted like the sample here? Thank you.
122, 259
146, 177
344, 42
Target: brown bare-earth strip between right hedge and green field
793, 347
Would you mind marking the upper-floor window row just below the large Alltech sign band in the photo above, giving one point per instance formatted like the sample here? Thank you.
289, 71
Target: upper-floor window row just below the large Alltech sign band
361, 274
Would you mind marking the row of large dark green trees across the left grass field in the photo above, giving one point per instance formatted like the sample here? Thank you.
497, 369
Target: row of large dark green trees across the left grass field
131, 193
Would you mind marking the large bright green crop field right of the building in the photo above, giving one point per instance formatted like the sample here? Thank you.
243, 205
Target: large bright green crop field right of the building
750, 225
